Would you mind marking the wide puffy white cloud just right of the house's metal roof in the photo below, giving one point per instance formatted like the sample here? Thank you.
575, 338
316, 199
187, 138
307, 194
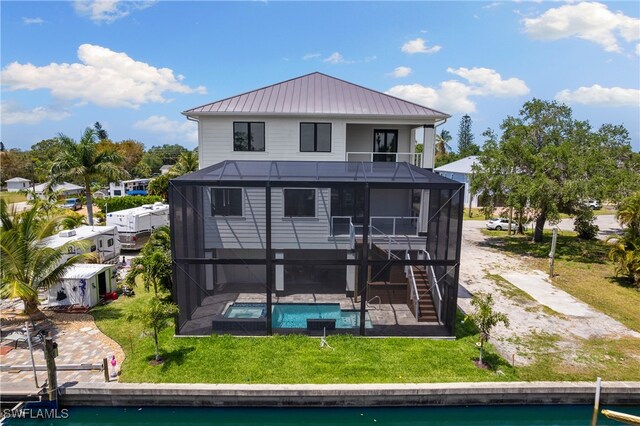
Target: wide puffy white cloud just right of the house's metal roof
453, 96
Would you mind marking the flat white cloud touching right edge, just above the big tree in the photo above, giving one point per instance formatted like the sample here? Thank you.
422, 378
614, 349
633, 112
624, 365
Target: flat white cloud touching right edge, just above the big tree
598, 95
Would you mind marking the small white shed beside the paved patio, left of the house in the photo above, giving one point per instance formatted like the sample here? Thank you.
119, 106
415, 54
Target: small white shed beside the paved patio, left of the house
83, 285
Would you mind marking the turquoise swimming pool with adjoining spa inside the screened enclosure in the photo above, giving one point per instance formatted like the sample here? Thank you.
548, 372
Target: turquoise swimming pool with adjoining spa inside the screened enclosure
295, 315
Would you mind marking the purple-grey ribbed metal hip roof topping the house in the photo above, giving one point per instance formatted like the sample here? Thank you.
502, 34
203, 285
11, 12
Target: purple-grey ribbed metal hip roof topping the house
317, 93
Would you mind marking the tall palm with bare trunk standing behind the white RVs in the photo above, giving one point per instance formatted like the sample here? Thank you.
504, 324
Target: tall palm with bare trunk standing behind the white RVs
82, 162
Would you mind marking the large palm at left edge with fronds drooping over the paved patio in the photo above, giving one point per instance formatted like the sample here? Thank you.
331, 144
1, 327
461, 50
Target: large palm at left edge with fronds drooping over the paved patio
26, 265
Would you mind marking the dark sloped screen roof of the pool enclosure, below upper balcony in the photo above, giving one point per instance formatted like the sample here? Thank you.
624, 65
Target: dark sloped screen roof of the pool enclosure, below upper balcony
313, 172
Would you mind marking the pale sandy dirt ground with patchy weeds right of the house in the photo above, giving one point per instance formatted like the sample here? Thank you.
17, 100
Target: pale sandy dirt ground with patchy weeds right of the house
479, 272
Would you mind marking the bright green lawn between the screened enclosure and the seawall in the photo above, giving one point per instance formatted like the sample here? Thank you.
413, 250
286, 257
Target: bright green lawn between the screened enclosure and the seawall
294, 358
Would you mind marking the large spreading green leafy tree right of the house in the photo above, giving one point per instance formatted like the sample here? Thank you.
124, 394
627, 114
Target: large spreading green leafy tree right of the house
548, 161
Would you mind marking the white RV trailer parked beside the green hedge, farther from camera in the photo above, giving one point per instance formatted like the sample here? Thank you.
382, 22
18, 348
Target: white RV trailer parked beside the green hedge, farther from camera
135, 225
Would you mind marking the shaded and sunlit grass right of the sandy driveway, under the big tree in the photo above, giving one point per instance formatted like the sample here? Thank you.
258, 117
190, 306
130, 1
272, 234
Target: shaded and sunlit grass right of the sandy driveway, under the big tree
581, 268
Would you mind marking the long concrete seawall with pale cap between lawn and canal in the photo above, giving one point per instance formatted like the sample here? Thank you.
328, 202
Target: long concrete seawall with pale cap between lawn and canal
347, 395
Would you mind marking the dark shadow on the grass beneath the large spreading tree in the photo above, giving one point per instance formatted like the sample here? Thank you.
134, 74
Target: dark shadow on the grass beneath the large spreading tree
568, 248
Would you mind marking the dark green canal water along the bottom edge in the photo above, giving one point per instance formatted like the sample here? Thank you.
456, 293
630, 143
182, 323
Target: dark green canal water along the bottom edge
433, 416
